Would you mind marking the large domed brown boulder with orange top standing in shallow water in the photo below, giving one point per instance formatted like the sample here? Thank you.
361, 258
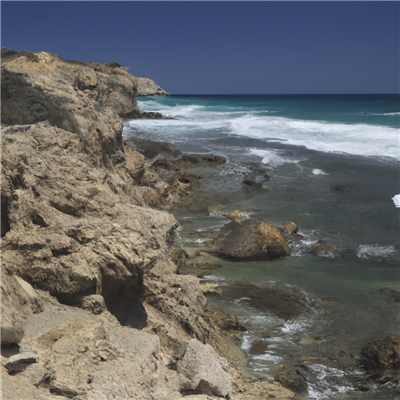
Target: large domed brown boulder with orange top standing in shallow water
249, 240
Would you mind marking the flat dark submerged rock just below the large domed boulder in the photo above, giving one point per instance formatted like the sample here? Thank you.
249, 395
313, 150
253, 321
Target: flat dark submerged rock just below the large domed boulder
278, 301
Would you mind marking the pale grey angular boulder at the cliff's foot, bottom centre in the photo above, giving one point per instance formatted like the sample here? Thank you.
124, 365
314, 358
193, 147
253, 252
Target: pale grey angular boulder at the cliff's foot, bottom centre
207, 372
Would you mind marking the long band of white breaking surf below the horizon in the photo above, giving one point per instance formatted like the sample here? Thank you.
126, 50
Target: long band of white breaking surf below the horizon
357, 139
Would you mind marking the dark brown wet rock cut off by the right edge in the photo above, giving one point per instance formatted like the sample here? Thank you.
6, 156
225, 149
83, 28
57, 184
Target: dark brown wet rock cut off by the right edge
382, 358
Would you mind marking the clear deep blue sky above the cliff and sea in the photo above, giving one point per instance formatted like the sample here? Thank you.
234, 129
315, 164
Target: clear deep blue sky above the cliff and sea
222, 47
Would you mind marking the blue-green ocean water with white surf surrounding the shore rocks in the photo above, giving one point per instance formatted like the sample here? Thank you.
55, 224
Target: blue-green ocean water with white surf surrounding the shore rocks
333, 167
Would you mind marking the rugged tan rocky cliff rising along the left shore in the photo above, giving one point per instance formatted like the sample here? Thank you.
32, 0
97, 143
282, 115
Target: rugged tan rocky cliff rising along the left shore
91, 305
